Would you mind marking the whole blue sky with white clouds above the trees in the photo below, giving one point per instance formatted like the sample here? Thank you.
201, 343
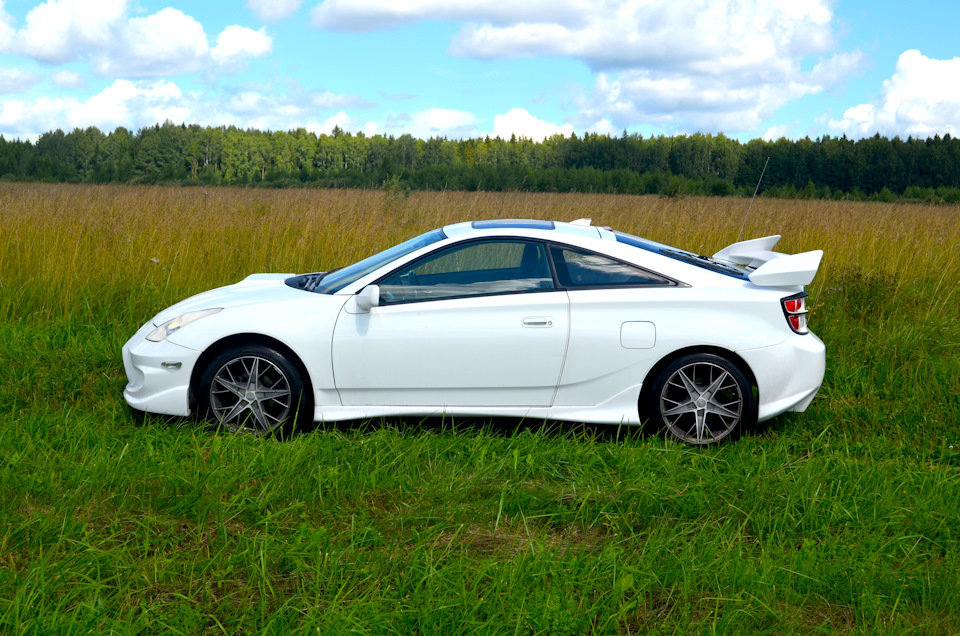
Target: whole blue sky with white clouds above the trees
746, 68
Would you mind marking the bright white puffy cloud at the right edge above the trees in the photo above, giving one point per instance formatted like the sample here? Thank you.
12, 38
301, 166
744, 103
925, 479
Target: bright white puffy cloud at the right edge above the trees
921, 99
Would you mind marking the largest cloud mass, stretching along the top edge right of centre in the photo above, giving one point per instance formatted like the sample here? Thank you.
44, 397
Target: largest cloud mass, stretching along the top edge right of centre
683, 64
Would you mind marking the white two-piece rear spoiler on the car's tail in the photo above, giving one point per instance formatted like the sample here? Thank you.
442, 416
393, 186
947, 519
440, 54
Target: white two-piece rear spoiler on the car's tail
772, 269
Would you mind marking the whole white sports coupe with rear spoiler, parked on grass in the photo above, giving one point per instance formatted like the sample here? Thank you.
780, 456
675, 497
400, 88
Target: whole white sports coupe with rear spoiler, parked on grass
530, 319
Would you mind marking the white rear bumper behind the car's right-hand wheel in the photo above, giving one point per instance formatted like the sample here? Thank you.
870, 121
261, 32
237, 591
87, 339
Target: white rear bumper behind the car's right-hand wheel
788, 374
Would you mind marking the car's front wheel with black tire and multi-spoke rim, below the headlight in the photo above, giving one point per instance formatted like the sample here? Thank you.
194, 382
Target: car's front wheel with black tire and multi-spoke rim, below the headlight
254, 389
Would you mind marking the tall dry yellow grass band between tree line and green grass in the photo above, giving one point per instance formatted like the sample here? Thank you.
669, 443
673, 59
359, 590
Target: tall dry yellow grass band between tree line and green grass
67, 244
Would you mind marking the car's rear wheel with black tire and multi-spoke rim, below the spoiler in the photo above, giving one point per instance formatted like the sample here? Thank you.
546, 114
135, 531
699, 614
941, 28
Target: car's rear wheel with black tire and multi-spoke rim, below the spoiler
701, 399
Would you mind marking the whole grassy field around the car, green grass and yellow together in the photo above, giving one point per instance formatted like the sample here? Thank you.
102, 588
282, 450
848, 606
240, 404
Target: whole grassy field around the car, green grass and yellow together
843, 519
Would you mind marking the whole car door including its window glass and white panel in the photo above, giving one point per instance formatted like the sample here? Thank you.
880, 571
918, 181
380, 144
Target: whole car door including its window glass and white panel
479, 323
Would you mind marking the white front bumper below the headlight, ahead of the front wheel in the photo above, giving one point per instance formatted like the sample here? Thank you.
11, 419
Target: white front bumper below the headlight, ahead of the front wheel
158, 374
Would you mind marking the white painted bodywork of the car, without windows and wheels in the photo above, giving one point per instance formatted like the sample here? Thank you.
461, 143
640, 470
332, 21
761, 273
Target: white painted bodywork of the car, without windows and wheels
475, 356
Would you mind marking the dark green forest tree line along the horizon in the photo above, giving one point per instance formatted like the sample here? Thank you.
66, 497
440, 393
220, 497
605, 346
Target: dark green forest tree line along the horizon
704, 164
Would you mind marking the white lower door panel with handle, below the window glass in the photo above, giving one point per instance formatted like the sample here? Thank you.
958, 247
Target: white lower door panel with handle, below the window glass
486, 351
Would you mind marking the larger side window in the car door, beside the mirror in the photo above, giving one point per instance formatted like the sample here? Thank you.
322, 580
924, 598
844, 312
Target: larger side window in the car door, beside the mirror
474, 269
